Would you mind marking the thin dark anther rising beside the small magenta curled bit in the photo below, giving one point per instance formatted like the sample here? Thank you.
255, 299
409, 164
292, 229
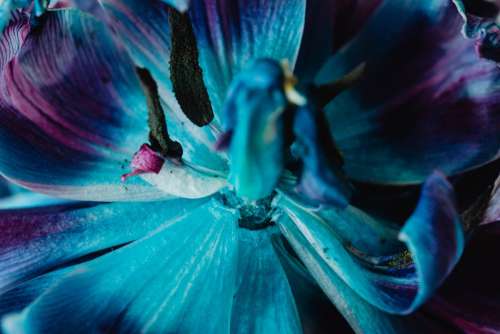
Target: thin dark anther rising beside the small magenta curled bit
158, 133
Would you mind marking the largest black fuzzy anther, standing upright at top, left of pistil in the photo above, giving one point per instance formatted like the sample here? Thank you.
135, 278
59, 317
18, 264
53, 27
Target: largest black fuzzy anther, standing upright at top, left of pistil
185, 71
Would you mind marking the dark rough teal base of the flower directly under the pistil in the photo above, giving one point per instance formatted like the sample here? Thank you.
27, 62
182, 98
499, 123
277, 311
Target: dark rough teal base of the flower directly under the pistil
254, 215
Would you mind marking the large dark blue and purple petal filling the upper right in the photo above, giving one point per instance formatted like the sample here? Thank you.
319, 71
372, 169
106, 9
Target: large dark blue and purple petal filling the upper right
437, 106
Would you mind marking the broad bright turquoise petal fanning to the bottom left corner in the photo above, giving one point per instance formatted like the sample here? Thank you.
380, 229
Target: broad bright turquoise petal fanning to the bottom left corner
177, 279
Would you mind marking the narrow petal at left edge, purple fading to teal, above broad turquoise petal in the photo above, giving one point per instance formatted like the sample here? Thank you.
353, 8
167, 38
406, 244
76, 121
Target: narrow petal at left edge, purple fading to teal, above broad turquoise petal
34, 241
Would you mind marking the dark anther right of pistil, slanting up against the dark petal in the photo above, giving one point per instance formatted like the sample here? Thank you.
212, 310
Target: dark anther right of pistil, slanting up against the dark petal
326, 93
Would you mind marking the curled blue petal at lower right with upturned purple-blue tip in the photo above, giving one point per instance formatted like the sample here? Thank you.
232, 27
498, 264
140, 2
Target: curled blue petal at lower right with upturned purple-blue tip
394, 283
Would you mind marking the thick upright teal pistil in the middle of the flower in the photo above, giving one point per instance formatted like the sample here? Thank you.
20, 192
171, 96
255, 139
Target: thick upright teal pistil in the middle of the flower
255, 113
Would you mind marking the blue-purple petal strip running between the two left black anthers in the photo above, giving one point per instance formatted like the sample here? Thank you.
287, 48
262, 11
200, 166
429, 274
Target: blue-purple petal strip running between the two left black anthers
149, 43
